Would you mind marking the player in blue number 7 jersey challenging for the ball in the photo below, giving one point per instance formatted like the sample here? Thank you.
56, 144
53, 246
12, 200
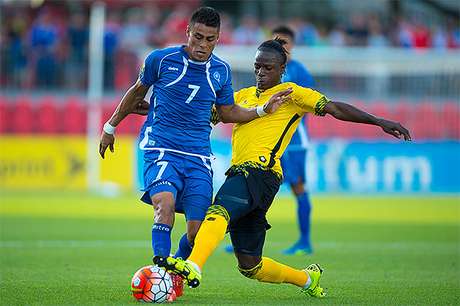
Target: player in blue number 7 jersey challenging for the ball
187, 81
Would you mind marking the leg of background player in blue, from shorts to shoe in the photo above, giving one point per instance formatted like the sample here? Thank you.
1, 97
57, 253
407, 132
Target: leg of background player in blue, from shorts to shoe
294, 168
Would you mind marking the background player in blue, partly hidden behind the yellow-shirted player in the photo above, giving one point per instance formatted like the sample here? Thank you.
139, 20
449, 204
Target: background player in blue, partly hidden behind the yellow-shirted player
294, 158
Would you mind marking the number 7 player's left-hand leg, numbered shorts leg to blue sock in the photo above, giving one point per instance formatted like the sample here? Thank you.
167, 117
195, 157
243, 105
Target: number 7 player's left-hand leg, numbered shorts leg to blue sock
161, 186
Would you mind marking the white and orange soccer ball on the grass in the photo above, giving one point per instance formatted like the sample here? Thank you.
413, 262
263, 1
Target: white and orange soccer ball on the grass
152, 284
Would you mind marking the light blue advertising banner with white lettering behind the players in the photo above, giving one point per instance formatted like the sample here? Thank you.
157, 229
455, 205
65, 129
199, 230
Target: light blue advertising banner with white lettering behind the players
368, 167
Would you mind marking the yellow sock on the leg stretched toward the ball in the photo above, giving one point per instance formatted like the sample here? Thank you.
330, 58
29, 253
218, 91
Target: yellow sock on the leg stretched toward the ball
211, 233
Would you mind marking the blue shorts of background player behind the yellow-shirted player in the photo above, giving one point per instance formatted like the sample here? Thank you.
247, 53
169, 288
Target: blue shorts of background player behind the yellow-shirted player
293, 164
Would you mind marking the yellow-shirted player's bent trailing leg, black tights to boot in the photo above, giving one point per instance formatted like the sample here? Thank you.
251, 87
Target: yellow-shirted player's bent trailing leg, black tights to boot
248, 237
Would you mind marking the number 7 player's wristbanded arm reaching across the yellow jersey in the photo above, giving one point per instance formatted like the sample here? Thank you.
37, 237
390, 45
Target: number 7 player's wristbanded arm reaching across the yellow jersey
236, 114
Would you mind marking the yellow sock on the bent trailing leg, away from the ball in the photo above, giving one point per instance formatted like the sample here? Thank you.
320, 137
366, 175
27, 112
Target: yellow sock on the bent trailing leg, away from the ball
270, 271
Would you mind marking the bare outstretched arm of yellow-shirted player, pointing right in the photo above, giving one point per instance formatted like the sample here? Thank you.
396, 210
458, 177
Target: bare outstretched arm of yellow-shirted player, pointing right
347, 112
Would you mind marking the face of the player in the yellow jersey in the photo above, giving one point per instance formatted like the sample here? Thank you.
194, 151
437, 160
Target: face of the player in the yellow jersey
268, 69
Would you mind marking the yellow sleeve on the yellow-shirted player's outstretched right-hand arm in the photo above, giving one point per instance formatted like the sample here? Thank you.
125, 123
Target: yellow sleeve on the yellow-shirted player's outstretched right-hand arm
310, 101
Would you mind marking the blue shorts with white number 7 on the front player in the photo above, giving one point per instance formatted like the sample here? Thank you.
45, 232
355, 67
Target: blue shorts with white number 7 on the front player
189, 178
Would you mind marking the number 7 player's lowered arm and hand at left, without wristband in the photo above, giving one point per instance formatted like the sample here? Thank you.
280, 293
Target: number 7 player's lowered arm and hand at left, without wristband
132, 102
